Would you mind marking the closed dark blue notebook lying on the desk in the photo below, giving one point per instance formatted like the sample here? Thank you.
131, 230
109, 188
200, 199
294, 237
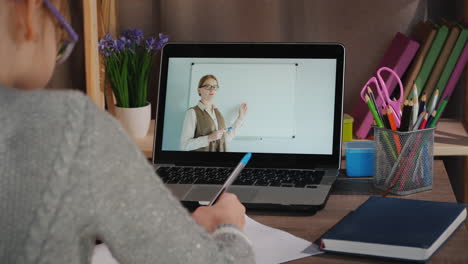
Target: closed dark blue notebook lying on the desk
395, 228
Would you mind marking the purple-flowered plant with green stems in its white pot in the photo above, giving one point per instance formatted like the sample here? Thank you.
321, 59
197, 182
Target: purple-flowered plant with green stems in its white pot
128, 61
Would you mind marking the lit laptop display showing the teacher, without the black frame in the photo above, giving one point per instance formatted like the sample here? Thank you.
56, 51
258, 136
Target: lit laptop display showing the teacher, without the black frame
280, 105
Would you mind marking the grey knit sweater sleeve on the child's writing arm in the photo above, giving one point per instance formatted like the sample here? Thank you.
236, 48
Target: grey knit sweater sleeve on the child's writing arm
136, 215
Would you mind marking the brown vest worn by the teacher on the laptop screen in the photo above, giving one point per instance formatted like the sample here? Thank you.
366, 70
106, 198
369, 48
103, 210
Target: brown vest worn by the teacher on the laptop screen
205, 126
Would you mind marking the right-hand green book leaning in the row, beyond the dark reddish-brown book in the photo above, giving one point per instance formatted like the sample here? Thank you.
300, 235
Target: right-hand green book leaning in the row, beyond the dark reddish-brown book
452, 60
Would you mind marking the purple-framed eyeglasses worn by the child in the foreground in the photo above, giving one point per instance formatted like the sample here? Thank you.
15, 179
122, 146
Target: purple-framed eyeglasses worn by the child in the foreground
65, 46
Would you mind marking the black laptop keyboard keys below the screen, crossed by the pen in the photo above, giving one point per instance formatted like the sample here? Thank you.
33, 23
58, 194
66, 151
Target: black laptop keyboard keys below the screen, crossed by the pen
257, 177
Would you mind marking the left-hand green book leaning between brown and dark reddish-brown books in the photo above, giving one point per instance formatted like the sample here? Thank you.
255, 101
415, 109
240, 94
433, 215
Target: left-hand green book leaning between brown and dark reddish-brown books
431, 58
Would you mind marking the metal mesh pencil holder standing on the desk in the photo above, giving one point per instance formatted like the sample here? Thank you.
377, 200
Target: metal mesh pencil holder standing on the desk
403, 160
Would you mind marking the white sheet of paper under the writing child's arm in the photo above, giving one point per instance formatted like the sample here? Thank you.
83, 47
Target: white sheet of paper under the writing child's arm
270, 246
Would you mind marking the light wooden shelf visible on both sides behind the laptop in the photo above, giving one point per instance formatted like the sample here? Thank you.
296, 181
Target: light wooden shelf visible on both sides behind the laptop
451, 139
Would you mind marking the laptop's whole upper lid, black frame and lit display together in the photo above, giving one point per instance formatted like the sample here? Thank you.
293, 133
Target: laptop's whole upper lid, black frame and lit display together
282, 102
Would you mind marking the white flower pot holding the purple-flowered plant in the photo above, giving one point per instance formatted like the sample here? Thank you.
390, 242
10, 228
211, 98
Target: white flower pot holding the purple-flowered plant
135, 121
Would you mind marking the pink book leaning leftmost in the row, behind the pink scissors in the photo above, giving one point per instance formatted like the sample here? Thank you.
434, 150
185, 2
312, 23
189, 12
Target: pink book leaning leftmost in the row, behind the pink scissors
397, 57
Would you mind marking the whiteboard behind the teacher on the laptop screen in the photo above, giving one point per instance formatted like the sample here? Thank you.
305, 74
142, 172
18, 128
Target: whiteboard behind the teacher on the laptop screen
267, 89
